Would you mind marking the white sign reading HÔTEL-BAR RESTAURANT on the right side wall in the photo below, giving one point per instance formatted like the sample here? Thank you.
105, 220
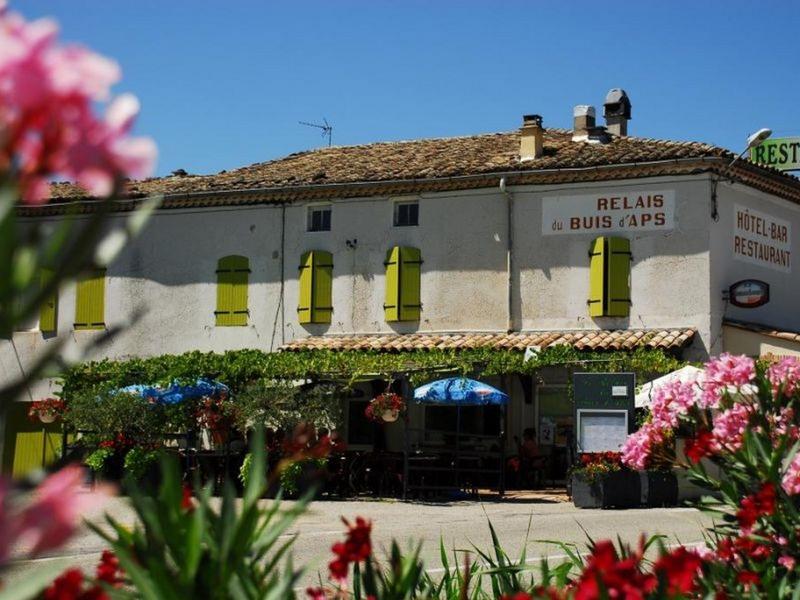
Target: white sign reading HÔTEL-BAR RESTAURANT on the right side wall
761, 239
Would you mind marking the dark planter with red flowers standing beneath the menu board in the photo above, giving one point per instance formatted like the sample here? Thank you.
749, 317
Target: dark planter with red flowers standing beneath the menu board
600, 480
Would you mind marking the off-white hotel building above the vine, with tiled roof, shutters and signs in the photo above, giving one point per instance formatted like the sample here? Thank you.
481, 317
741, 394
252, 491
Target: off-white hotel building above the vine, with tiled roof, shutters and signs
504, 227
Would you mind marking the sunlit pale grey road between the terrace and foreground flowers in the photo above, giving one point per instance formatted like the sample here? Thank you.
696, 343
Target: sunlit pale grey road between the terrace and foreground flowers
519, 520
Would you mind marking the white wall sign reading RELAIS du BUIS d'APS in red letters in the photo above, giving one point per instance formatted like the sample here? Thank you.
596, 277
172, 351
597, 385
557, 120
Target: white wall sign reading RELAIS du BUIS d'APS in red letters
628, 210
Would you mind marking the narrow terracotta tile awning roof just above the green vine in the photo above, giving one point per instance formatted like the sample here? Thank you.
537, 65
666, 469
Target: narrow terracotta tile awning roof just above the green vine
623, 339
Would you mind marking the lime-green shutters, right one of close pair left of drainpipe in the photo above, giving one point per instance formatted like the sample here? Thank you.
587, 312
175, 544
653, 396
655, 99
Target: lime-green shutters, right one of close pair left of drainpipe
402, 284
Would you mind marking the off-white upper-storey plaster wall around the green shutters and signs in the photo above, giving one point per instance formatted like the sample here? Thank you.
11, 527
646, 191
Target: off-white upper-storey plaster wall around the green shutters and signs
169, 272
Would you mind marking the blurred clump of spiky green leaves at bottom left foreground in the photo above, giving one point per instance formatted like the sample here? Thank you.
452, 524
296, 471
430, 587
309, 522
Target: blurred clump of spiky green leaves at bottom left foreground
211, 551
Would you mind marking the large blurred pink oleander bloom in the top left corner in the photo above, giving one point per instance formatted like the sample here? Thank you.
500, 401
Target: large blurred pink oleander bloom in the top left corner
47, 125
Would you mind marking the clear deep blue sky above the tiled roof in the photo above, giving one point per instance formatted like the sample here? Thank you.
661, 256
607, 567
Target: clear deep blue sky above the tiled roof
224, 83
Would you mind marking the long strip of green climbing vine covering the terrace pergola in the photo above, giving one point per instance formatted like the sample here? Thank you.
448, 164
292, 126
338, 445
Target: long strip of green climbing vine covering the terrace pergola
240, 368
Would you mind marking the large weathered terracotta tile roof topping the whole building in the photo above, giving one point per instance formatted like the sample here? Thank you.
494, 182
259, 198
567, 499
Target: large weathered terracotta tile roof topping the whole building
446, 163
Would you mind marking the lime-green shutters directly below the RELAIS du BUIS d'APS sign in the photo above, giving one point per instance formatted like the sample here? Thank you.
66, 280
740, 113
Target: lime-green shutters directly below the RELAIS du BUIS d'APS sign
609, 277
